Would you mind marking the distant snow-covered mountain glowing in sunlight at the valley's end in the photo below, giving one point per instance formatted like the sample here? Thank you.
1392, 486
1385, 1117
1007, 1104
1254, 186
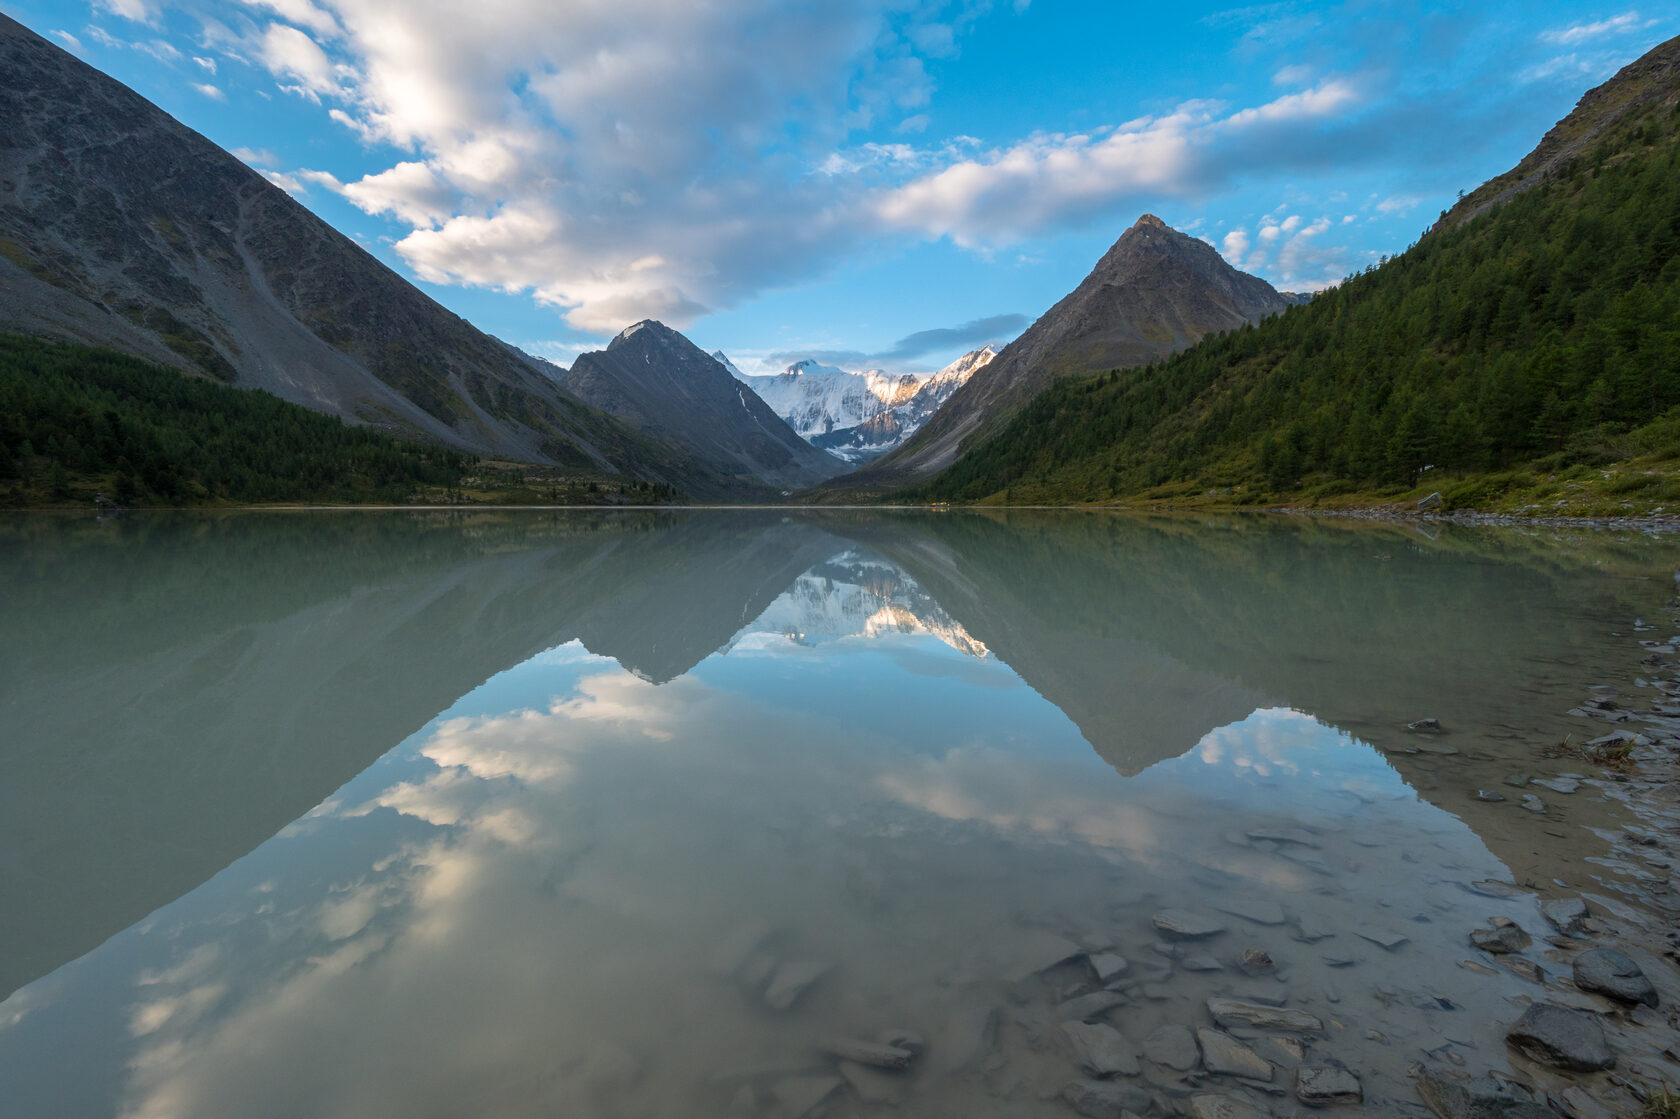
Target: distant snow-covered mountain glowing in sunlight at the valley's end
861, 416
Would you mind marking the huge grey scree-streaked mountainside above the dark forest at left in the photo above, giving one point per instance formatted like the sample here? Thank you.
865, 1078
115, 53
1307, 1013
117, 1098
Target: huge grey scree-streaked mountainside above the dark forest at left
125, 229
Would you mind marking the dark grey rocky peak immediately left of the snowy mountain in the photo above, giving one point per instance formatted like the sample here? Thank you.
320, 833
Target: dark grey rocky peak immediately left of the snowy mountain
666, 387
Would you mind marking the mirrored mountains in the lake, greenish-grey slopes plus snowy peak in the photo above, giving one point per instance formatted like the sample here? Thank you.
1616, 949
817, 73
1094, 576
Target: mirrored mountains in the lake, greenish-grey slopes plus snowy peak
179, 690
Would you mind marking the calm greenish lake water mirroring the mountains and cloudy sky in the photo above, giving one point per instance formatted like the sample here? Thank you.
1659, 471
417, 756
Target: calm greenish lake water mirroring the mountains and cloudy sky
533, 814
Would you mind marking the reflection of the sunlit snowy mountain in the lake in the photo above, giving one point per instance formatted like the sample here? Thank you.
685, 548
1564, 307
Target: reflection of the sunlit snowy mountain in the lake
859, 596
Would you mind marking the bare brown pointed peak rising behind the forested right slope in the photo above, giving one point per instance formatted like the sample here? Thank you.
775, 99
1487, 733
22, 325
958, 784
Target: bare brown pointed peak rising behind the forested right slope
1155, 293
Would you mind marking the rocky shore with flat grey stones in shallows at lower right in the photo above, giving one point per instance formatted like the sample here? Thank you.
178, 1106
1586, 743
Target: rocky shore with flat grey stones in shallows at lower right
1252, 1007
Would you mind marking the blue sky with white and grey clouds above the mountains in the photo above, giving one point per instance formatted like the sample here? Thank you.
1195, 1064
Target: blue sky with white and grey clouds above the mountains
874, 184
